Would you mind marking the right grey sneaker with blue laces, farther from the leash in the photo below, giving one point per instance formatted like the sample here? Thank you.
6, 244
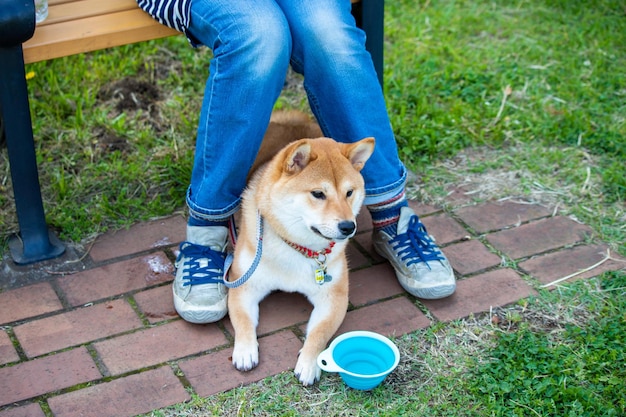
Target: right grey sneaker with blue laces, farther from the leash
422, 269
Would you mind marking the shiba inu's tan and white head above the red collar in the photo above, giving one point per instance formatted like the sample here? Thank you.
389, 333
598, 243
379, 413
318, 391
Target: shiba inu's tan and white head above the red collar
316, 190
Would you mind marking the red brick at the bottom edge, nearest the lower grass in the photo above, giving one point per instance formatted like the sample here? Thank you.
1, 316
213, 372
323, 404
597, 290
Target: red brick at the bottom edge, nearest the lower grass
128, 396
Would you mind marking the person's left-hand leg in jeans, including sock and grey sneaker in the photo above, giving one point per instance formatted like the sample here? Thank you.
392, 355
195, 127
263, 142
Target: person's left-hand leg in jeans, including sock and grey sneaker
251, 48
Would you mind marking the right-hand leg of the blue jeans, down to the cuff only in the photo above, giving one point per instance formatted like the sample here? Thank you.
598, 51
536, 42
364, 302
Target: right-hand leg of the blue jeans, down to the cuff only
342, 87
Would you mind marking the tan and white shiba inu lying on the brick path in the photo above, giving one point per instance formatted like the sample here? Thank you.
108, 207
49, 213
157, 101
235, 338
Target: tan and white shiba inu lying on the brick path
298, 212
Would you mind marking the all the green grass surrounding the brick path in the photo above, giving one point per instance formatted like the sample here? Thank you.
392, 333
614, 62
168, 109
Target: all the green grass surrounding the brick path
520, 99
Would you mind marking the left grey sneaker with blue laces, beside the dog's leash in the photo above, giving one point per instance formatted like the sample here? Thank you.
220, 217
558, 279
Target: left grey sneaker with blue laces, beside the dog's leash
199, 293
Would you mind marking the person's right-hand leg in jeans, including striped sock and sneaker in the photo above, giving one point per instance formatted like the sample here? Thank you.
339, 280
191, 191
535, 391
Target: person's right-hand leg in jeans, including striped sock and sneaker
347, 100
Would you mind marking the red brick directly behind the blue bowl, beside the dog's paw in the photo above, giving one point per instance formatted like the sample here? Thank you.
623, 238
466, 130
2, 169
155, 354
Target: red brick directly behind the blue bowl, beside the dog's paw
391, 318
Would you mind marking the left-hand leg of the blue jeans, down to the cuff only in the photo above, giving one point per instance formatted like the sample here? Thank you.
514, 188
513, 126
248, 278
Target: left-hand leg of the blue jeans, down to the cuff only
251, 47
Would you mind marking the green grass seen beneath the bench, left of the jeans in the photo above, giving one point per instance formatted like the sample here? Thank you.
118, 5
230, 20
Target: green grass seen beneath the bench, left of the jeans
103, 168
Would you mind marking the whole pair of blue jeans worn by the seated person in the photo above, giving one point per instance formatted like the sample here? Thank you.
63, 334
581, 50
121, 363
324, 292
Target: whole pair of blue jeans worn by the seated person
253, 44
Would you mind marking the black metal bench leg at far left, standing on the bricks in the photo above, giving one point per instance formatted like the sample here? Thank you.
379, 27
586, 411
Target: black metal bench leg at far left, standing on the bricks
34, 243
